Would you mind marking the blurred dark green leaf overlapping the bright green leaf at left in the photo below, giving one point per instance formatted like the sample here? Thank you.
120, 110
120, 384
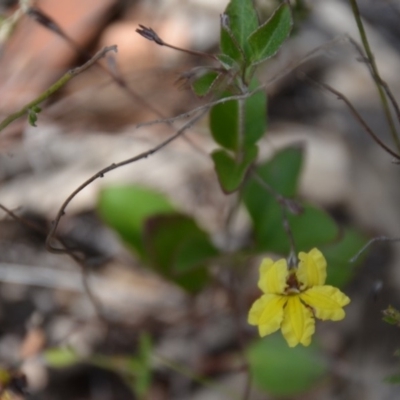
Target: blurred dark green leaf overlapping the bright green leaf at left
179, 250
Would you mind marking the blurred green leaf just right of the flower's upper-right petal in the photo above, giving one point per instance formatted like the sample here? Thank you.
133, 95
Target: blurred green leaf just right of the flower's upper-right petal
338, 255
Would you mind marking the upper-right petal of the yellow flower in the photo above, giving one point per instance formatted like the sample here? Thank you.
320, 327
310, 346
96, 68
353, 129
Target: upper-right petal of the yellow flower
312, 269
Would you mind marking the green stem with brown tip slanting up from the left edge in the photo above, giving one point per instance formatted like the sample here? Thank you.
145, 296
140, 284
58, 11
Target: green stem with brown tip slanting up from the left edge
55, 87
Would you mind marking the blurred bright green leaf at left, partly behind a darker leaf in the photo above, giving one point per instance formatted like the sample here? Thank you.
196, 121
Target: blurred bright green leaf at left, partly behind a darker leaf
126, 209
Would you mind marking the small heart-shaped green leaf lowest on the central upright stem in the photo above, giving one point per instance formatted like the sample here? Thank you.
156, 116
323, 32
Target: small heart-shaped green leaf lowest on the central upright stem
230, 172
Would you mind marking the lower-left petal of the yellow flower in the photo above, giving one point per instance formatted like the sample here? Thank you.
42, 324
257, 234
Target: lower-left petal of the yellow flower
267, 313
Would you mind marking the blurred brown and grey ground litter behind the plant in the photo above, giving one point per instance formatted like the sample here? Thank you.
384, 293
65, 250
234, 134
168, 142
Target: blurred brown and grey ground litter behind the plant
51, 329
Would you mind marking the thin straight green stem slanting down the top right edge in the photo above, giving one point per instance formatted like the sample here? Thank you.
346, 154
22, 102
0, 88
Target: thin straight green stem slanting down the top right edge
377, 78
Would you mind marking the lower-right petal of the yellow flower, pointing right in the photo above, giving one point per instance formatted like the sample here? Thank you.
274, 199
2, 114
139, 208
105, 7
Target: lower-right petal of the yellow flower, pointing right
326, 301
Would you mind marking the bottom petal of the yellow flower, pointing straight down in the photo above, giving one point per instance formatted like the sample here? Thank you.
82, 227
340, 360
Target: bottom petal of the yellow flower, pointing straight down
298, 323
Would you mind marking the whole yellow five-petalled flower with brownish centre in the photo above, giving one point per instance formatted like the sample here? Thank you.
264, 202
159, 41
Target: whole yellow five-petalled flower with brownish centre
294, 297
